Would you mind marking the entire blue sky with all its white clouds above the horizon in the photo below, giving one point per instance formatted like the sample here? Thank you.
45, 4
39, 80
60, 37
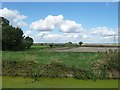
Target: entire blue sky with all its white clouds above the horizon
60, 22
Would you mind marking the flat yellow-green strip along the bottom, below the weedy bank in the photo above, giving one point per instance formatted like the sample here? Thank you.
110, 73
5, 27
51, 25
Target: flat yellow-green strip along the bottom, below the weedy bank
20, 82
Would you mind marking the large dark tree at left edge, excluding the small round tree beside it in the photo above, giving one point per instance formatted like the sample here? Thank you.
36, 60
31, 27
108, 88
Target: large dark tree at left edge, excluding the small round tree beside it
11, 36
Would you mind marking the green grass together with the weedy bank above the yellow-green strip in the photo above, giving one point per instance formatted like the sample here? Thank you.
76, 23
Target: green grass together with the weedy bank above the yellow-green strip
36, 63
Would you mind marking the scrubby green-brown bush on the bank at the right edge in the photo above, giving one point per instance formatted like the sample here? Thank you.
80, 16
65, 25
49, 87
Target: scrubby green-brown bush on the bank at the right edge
107, 66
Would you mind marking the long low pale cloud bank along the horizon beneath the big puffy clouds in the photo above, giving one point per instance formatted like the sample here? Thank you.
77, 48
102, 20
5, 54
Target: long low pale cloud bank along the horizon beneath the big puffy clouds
96, 35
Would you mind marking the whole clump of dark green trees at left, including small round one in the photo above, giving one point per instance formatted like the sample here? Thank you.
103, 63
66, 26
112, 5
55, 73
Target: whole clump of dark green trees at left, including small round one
12, 37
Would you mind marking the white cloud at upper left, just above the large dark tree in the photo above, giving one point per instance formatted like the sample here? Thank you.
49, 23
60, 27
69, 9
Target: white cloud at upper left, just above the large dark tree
15, 18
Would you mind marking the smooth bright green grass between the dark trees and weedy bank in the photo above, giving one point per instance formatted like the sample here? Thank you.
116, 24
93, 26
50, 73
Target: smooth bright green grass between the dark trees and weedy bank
77, 59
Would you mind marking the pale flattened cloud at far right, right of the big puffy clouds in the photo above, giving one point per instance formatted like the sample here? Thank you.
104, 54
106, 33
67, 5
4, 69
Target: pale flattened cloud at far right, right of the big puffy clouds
103, 31
